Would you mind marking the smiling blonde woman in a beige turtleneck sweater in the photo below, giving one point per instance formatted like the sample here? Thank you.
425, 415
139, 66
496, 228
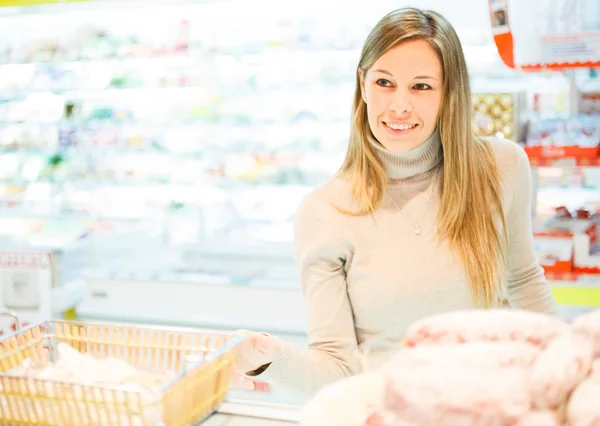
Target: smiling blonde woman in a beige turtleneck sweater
422, 217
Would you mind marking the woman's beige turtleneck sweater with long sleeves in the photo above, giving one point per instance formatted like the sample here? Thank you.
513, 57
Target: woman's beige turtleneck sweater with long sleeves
366, 279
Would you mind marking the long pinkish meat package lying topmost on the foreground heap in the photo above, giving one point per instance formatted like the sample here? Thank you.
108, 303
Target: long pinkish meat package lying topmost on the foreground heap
485, 325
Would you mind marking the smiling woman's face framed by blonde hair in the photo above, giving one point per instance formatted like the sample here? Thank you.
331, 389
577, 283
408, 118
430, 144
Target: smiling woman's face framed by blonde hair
403, 93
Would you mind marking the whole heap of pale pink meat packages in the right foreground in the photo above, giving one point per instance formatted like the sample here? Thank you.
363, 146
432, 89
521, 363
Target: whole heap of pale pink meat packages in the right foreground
443, 384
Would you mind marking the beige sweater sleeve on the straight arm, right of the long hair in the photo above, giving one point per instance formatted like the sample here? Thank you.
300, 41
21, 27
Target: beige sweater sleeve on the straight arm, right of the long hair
527, 285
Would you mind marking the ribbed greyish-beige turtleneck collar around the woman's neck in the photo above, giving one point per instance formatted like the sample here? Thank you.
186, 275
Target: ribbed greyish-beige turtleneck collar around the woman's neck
418, 160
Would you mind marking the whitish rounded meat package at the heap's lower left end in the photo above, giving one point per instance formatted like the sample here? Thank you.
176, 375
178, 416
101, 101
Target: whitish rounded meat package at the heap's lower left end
349, 402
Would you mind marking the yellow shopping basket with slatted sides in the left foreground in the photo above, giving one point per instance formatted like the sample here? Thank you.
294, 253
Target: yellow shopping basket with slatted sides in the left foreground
198, 363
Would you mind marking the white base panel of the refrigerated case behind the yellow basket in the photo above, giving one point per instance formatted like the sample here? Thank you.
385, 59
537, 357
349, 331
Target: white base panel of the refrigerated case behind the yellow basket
212, 304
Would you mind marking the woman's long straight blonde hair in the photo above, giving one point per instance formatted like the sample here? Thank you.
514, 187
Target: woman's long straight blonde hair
471, 205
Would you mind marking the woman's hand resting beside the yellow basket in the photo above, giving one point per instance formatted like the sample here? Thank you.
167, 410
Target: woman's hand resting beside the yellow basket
256, 351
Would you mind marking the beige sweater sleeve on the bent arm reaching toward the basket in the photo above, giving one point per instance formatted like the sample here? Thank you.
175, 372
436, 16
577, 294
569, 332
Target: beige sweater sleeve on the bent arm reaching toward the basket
321, 252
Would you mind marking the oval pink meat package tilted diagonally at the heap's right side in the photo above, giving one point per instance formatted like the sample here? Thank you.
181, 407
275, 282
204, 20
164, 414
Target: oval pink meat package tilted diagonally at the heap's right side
559, 368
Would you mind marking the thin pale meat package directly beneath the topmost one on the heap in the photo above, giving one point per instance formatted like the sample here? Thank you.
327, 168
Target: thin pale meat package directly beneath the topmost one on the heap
474, 354
